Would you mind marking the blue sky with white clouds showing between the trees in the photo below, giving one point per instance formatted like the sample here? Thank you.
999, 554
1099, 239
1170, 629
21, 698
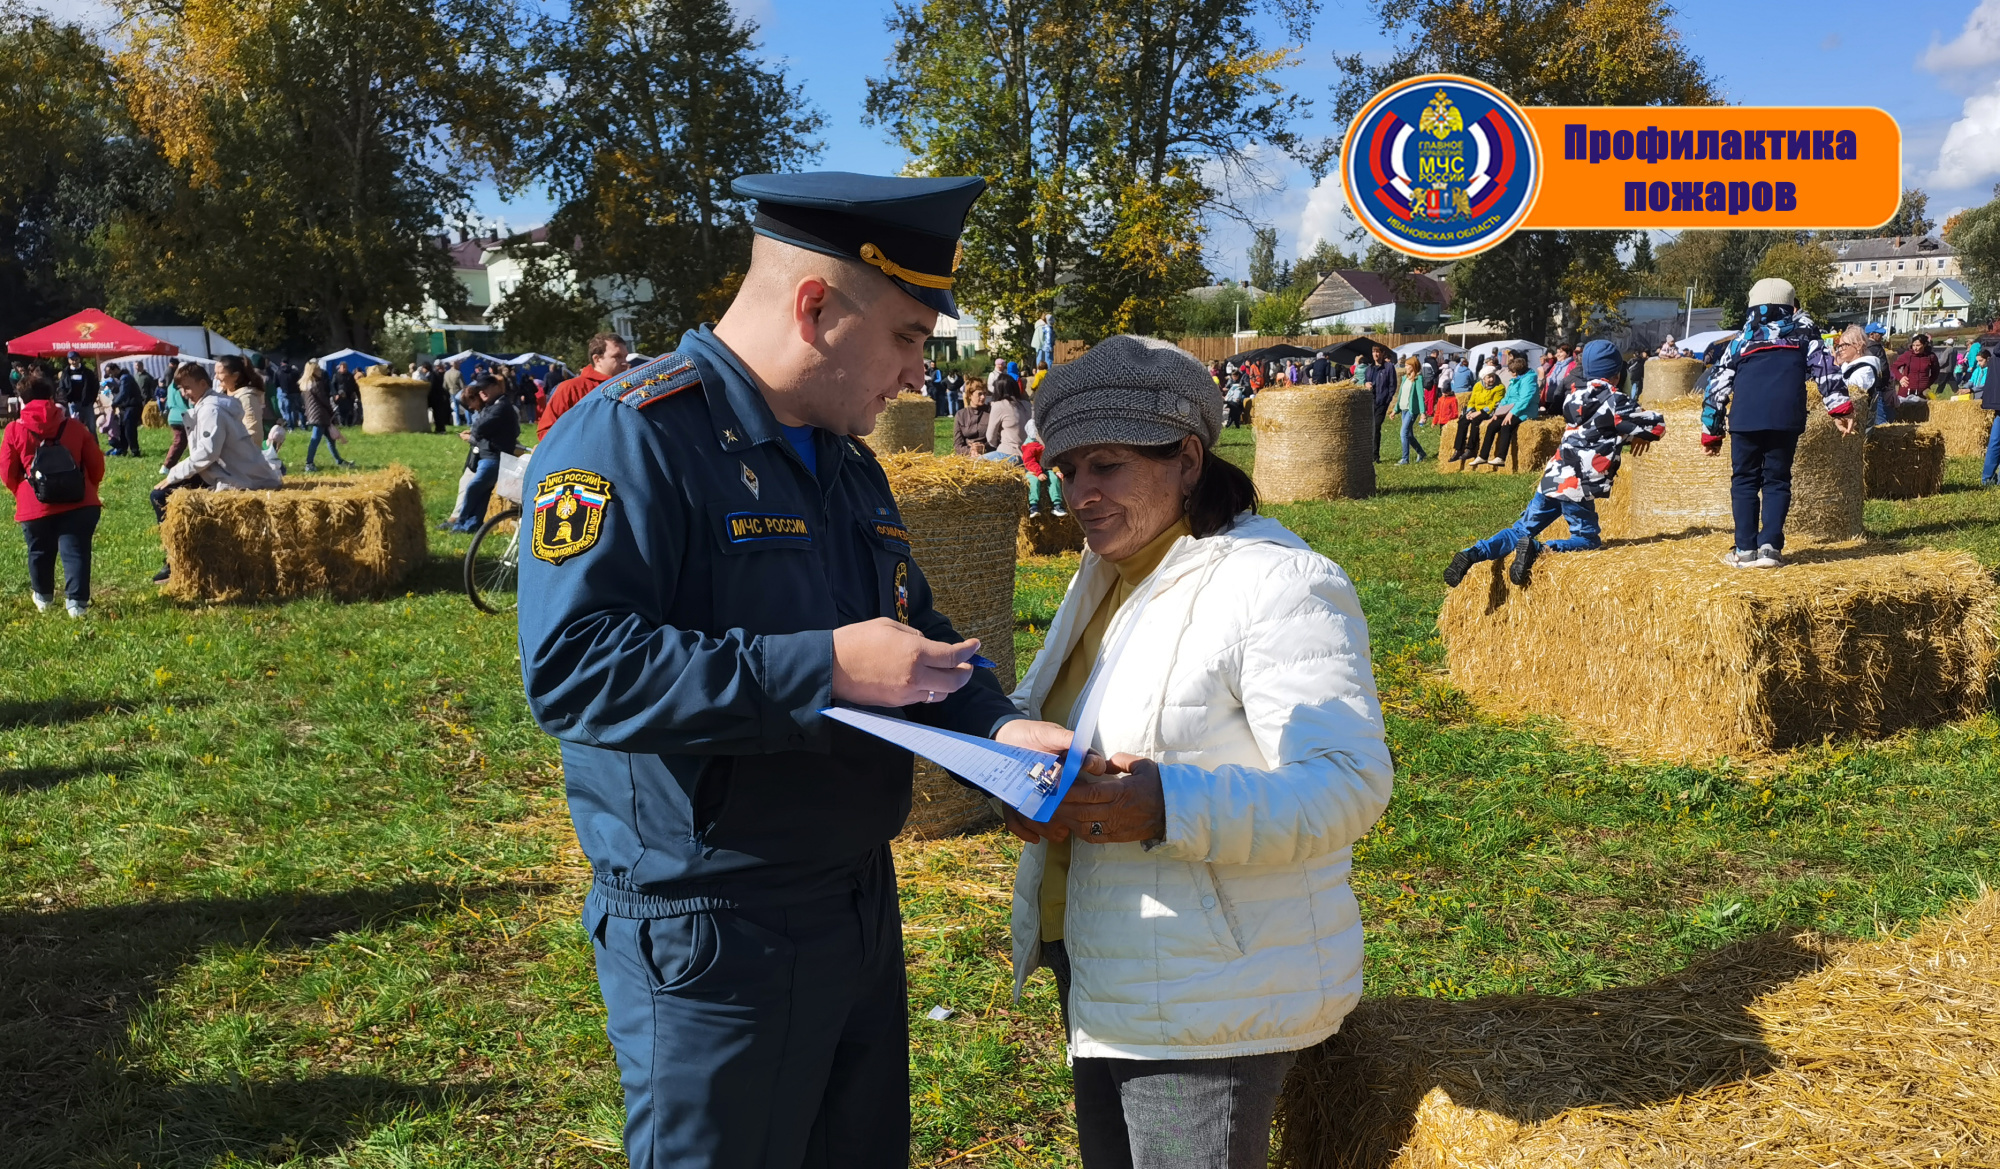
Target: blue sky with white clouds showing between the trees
1933, 65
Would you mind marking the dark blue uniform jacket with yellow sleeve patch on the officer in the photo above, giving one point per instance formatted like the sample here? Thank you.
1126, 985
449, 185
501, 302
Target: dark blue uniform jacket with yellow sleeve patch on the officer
679, 588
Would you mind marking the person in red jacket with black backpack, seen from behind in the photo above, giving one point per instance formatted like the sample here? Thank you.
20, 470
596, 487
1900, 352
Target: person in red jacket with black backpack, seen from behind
53, 527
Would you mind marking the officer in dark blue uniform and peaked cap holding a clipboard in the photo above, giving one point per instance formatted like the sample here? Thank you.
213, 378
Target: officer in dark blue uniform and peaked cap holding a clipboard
713, 561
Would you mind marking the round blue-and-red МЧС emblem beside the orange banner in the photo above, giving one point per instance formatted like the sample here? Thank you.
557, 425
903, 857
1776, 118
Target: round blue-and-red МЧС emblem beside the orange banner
1441, 167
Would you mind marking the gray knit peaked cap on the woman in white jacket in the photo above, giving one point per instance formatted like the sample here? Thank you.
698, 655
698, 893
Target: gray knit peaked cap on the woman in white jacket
1129, 389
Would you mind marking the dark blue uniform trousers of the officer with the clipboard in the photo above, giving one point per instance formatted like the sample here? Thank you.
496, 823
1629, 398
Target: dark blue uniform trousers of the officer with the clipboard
771, 1036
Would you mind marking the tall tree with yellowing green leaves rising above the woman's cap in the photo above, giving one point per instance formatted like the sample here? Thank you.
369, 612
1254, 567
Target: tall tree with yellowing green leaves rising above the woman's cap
1095, 123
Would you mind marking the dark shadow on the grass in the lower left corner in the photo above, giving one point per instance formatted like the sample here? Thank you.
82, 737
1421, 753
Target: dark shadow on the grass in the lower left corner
77, 978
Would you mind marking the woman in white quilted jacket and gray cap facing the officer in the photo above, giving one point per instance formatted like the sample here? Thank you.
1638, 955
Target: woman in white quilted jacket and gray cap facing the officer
1195, 908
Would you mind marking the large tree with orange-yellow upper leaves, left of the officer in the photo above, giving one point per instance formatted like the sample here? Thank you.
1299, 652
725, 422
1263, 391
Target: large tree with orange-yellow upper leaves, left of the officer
319, 153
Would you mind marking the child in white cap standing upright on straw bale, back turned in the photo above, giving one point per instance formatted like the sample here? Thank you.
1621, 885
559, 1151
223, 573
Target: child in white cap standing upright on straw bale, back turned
1755, 399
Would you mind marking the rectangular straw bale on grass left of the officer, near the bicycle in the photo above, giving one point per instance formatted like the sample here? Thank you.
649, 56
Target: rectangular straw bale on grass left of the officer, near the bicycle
341, 537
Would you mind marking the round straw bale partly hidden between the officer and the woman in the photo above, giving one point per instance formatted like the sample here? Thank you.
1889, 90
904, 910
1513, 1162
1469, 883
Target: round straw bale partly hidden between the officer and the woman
965, 521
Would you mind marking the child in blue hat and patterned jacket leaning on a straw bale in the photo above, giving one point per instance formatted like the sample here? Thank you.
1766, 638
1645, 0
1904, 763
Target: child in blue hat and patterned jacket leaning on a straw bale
1599, 419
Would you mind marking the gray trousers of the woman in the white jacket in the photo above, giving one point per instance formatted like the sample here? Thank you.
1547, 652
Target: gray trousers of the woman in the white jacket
1171, 1114
